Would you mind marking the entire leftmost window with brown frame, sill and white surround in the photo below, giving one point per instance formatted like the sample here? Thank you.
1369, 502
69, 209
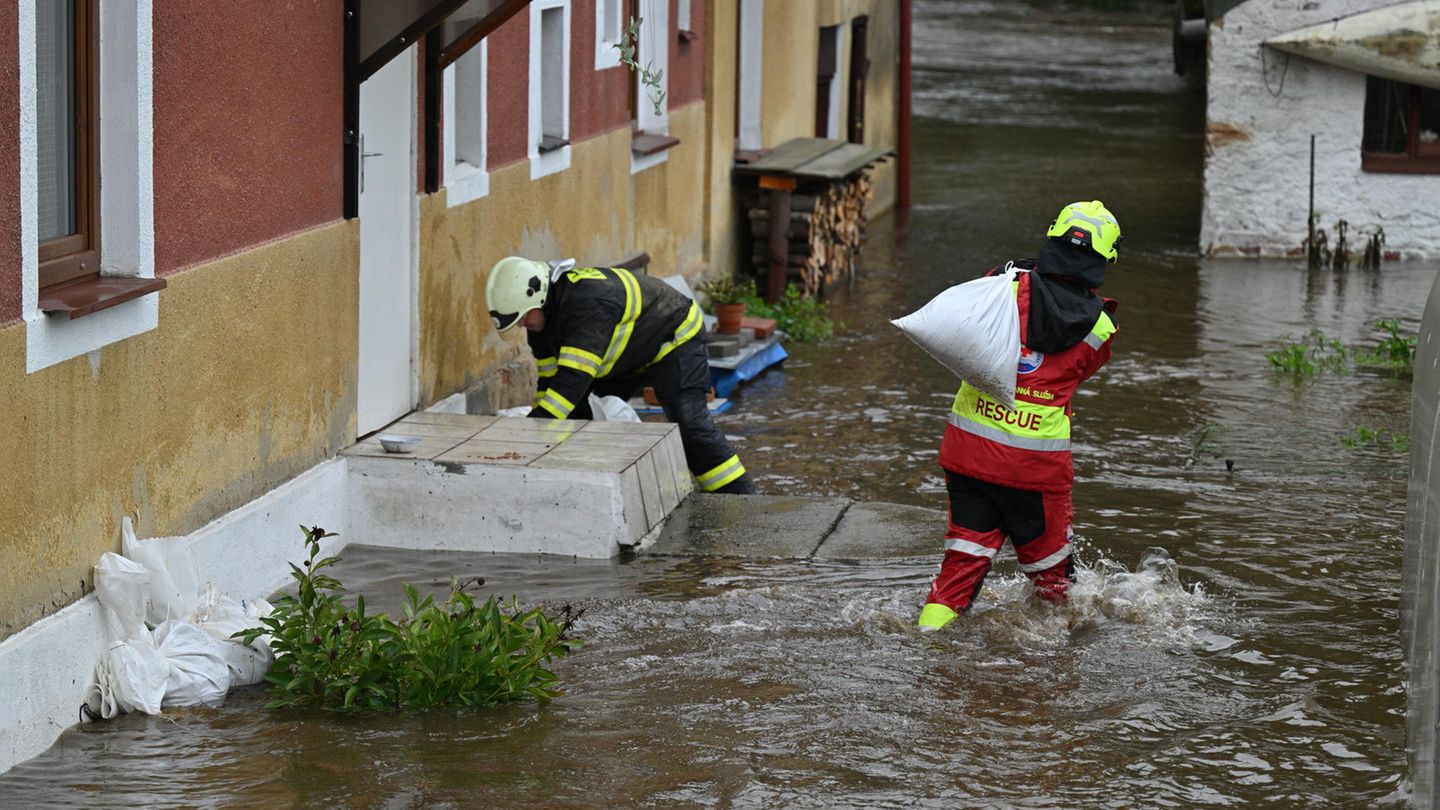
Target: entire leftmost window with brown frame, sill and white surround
74, 132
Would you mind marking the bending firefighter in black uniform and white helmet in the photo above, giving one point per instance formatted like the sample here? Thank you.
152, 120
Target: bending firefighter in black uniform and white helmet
608, 332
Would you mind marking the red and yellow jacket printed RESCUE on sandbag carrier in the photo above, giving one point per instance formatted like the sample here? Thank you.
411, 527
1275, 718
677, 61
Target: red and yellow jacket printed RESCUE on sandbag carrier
1029, 448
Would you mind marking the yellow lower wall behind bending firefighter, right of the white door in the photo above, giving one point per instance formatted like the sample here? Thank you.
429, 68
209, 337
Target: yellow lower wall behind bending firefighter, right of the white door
595, 213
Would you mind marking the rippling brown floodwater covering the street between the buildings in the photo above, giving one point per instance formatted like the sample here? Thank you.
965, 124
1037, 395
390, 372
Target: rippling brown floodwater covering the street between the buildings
1256, 662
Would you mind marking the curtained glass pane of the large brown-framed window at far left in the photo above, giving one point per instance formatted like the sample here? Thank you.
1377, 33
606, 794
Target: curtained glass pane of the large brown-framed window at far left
55, 113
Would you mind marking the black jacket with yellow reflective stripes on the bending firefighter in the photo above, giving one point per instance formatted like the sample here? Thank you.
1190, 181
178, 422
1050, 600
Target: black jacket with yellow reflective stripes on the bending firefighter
604, 322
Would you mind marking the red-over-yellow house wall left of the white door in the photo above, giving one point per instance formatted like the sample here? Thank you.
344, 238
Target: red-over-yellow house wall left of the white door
184, 423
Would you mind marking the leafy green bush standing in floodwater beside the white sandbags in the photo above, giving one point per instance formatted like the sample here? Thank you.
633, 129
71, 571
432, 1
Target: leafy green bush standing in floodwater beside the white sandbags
453, 654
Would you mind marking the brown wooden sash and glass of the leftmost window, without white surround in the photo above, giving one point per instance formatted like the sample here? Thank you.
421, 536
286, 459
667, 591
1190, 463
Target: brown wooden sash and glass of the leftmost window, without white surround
67, 142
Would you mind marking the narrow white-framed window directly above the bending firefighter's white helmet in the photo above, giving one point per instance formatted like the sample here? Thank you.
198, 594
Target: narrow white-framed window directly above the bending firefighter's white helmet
549, 87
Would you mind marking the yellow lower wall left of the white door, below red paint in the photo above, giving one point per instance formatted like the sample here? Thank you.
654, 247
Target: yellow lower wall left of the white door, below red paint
181, 424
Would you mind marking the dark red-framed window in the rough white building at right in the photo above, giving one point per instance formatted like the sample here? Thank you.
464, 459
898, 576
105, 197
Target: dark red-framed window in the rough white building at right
1402, 128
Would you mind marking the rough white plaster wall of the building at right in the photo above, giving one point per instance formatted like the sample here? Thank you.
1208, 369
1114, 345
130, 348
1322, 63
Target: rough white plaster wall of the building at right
1264, 107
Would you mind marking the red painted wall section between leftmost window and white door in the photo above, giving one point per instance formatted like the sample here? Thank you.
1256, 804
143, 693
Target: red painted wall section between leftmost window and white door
248, 125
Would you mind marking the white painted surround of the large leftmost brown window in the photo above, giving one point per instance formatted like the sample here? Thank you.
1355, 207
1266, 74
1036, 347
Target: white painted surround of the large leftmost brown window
127, 188
